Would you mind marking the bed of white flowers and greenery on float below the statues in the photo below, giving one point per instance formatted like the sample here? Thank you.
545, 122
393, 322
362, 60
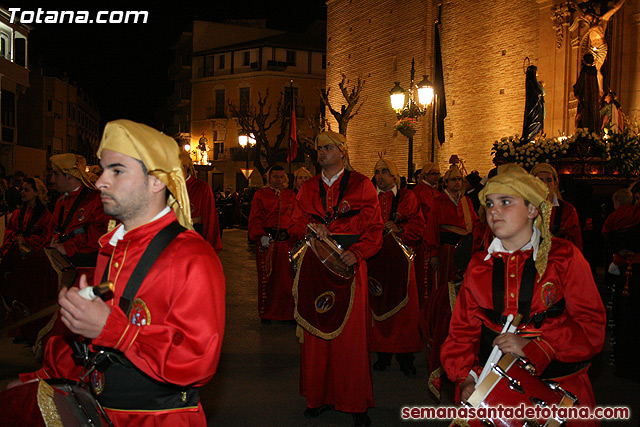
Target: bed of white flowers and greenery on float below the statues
621, 150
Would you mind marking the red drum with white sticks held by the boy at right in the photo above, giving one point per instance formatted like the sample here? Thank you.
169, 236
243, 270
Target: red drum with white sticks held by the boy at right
511, 383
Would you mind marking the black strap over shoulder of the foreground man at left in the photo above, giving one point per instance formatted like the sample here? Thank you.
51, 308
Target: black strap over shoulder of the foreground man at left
156, 247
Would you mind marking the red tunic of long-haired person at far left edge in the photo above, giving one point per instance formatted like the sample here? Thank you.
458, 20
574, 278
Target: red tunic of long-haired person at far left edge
39, 235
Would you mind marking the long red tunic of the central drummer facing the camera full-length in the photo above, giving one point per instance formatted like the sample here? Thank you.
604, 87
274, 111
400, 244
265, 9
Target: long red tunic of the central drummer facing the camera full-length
338, 371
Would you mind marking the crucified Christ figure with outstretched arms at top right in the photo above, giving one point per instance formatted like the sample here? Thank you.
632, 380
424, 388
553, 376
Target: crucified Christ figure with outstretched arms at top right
594, 38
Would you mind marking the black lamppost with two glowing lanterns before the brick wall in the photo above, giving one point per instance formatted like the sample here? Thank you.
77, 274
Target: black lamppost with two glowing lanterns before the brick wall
406, 105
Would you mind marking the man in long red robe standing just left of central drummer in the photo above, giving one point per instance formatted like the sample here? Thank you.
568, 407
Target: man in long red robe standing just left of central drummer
270, 218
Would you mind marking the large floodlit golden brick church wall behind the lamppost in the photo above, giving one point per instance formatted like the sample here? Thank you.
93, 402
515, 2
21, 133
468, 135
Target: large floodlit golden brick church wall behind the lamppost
484, 46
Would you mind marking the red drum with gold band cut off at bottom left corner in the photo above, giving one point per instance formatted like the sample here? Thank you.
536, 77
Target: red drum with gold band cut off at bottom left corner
52, 402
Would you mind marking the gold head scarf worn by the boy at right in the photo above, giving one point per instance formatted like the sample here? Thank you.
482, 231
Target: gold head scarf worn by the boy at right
531, 189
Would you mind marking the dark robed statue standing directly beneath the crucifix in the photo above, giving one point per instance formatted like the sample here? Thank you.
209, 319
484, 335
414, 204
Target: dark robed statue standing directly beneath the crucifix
586, 91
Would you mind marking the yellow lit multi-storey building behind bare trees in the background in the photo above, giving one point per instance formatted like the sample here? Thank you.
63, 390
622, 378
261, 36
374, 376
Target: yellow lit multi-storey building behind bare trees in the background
238, 63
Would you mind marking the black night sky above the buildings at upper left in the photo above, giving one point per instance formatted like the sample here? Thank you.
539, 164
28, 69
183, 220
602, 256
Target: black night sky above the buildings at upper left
124, 66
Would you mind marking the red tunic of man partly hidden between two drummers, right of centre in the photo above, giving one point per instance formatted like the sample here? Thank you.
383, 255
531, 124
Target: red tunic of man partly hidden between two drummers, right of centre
426, 195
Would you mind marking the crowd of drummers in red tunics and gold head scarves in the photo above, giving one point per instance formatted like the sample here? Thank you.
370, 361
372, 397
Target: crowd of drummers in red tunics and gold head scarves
363, 264
